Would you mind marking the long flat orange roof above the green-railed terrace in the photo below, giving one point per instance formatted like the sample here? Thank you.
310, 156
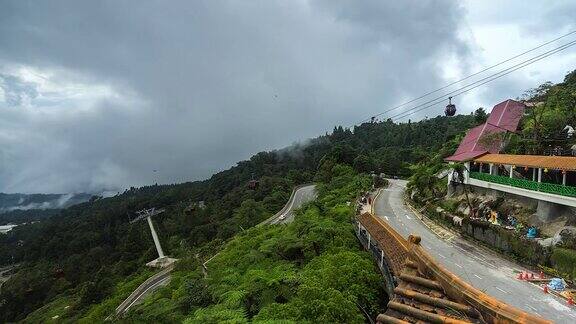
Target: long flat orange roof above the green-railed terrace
532, 161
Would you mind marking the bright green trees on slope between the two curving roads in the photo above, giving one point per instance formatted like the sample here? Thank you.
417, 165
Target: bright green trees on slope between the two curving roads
310, 270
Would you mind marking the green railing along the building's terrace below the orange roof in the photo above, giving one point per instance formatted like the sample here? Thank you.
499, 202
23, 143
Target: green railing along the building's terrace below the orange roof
550, 188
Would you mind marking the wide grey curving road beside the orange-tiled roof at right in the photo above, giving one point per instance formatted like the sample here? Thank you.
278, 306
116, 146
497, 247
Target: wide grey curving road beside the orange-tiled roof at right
483, 269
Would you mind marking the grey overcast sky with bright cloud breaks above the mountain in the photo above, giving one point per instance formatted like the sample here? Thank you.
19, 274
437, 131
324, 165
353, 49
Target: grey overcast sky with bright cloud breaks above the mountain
96, 95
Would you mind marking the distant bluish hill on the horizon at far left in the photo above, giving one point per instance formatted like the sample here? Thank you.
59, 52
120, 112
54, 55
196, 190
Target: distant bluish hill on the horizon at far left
18, 201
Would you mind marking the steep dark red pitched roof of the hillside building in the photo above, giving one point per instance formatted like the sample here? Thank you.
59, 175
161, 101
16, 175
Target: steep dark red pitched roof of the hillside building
504, 117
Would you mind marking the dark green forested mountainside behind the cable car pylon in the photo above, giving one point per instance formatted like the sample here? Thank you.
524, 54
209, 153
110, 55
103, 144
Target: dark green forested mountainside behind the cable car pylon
79, 255
